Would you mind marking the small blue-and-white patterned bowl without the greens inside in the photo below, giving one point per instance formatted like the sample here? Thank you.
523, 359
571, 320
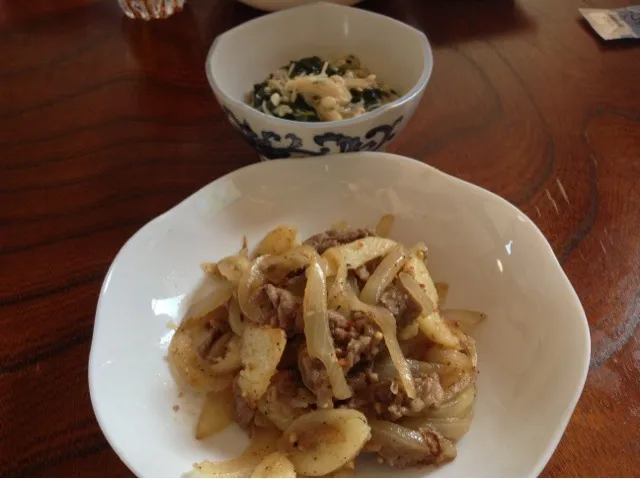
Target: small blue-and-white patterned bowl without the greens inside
399, 54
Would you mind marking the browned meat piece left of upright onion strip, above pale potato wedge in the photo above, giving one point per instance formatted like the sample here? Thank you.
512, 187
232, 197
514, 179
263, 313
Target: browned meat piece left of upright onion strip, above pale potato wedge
280, 308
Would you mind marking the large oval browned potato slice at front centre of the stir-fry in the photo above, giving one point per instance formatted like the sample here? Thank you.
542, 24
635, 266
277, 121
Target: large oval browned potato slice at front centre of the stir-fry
323, 441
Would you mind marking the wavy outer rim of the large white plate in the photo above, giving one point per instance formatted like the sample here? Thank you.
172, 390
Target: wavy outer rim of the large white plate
554, 436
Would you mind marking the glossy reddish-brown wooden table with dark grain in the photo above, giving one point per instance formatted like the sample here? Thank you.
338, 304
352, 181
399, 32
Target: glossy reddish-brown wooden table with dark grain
106, 123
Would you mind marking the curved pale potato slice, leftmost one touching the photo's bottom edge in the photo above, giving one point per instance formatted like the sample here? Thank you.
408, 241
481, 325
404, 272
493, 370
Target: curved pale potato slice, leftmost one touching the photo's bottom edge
263, 443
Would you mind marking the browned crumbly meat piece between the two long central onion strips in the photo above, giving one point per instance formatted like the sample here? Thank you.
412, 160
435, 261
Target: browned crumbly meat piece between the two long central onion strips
357, 339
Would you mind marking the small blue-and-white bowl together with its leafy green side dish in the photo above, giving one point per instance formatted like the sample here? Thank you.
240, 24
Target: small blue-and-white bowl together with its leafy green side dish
305, 109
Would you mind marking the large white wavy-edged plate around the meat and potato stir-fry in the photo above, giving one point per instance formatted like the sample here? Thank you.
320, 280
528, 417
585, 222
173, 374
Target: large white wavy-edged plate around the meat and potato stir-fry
533, 350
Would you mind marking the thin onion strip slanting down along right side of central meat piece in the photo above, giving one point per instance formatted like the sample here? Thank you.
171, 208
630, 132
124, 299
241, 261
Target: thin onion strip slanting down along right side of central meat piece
387, 324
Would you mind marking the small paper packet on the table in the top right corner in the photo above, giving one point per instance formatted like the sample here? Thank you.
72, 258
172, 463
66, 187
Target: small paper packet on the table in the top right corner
614, 23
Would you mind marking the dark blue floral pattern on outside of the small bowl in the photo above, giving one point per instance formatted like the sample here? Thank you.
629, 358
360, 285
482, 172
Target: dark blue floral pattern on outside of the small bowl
271, 145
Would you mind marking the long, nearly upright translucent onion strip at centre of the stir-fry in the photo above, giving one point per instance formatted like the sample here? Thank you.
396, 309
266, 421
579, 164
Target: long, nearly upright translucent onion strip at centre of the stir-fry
316, 329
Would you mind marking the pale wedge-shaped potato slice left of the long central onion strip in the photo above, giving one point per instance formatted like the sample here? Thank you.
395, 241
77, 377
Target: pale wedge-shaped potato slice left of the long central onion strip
262, 349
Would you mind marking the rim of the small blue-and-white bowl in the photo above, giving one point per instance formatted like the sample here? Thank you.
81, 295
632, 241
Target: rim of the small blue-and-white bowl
418, 87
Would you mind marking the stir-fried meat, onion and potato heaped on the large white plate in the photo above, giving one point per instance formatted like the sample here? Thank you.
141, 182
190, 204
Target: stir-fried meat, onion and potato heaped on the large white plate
331, 347
